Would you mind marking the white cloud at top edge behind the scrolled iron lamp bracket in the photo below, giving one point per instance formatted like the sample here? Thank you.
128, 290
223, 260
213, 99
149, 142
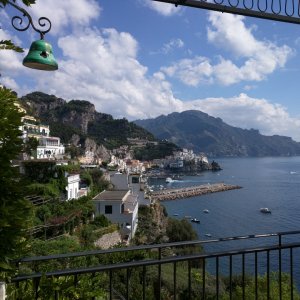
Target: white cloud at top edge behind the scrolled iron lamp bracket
67, 12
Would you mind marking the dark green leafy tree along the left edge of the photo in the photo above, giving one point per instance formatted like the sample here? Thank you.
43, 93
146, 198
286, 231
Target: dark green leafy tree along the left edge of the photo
15, 211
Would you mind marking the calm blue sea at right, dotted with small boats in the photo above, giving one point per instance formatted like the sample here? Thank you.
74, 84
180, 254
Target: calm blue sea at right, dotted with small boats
271, 182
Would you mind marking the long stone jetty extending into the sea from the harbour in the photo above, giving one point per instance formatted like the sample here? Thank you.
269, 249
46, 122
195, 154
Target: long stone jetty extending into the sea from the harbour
172, 194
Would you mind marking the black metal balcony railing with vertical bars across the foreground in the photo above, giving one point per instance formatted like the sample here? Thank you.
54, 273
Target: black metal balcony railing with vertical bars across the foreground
271, 259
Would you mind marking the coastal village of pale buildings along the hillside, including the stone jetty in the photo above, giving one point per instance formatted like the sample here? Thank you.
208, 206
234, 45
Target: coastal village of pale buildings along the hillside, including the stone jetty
126, 178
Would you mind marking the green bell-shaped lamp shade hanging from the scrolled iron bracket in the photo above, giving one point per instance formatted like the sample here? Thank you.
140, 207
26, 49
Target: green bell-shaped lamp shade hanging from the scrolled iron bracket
40, 57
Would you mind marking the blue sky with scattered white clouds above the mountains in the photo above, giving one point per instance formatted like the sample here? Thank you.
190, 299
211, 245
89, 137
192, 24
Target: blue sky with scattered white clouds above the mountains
141, 58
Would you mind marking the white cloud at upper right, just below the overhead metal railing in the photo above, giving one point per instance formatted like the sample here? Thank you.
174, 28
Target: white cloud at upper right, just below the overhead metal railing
260, 58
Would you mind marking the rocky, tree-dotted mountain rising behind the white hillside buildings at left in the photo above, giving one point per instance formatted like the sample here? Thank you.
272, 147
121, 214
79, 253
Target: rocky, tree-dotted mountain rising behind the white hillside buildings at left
79, 120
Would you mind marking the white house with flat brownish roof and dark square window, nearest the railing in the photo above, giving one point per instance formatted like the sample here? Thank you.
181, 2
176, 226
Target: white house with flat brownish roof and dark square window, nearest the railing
121, 207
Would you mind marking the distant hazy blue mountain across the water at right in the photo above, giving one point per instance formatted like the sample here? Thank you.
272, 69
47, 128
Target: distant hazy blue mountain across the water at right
198, 131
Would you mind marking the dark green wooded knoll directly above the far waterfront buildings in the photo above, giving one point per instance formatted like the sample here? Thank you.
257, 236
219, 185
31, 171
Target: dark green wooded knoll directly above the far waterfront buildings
151, 151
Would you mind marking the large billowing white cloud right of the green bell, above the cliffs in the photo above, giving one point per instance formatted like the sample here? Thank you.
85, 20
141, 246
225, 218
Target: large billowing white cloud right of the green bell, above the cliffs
101, 66
